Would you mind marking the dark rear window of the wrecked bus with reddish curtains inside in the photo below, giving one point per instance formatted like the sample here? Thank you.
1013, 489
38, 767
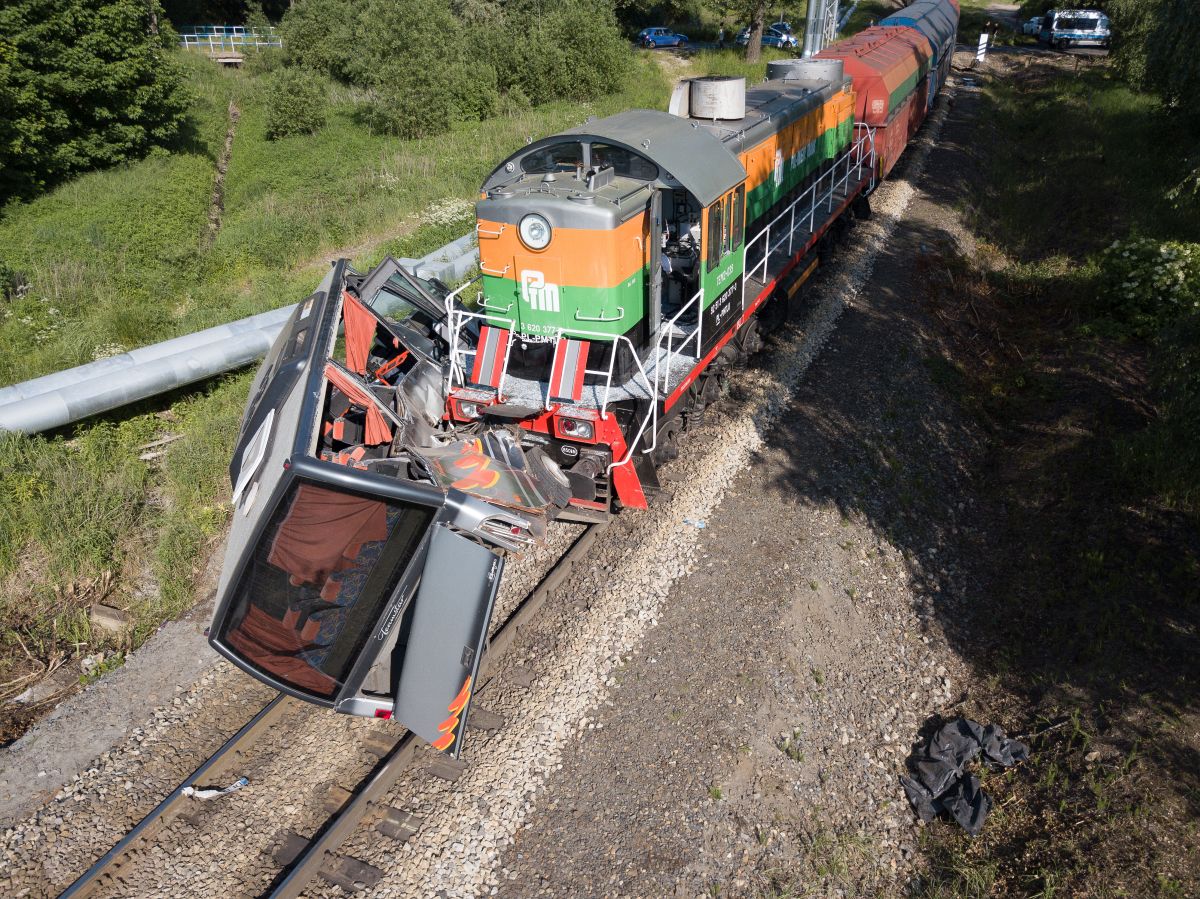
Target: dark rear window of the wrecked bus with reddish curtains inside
321, 576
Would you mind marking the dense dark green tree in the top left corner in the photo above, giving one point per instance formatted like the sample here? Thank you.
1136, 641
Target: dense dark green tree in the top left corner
85, 85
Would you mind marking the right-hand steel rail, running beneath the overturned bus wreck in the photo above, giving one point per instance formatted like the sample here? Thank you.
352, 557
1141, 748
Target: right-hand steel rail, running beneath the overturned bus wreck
344, 823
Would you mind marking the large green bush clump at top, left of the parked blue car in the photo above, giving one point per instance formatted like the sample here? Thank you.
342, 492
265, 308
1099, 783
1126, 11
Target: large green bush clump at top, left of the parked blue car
428, 64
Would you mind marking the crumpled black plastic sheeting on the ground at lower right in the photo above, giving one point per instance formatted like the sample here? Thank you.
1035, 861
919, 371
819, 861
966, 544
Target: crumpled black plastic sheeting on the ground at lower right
940, 782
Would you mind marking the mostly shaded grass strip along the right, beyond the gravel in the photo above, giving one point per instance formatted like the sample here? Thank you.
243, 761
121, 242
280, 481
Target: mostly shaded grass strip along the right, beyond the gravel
1096, 570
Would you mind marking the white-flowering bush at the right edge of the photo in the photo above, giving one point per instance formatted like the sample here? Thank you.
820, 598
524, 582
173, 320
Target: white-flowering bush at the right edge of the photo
1149, 284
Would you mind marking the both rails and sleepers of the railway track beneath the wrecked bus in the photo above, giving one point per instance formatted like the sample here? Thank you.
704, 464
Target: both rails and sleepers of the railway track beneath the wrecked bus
302, 860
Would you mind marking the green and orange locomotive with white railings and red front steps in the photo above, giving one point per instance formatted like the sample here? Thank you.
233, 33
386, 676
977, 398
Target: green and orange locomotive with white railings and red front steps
617, 275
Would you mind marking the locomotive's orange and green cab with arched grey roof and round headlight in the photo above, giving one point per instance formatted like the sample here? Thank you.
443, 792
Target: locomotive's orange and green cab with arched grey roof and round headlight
604, 233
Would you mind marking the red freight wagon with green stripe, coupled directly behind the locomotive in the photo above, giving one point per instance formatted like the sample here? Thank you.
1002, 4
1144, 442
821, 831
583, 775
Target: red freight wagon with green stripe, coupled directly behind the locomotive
890, 68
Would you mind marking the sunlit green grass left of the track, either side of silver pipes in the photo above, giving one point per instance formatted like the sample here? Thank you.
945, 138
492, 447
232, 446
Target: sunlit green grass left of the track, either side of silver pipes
115, 260
